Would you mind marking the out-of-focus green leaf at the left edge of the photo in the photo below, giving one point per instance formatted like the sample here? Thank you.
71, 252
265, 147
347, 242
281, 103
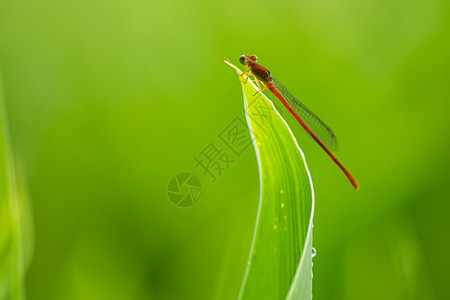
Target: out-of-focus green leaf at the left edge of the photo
16, 237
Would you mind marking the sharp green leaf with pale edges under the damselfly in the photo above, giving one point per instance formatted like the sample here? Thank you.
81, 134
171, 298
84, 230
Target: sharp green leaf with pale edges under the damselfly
280, 263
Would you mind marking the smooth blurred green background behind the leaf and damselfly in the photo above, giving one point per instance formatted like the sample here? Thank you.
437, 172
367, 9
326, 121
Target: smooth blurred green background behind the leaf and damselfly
108, 100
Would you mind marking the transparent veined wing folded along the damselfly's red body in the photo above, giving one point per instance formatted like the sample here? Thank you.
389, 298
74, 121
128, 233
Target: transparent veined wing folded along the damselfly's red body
323, 132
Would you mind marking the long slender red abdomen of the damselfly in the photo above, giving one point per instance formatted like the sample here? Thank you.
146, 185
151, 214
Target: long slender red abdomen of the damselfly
349, 176
